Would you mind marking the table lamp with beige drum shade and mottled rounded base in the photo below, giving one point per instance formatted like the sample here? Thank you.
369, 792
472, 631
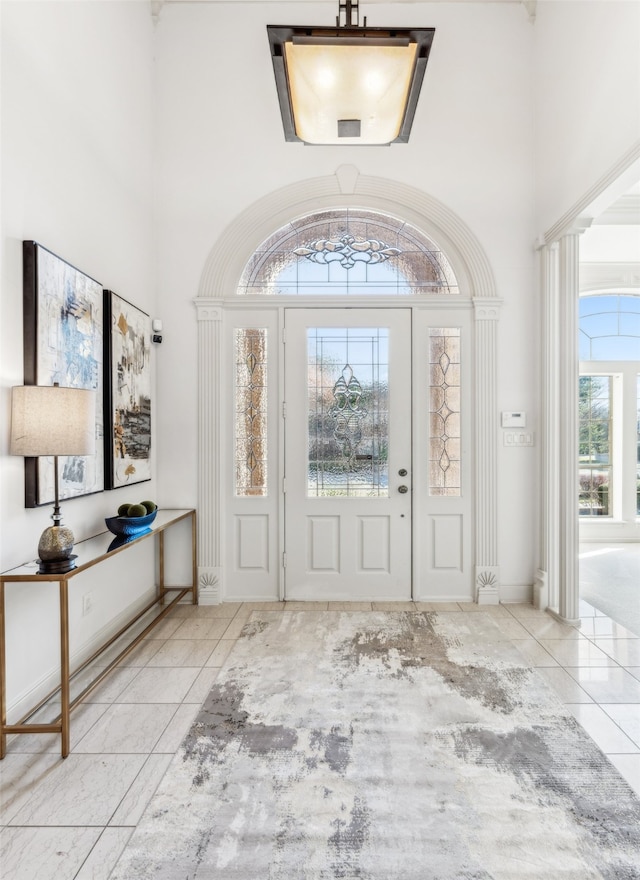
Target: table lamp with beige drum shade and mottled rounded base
52, 421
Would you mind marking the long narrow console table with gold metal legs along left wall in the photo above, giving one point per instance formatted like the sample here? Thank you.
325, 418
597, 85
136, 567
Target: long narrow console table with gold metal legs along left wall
90, 552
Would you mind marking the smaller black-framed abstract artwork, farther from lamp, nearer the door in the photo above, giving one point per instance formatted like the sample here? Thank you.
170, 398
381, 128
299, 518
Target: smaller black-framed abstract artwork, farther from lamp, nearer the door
127, 393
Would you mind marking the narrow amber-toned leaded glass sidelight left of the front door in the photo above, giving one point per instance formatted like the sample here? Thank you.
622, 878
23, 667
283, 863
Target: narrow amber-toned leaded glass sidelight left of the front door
251, 412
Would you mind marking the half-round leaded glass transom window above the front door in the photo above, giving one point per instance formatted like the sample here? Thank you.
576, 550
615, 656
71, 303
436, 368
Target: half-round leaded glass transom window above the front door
348, 251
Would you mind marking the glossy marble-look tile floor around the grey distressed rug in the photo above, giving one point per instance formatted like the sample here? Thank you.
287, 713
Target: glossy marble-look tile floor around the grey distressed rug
71, 819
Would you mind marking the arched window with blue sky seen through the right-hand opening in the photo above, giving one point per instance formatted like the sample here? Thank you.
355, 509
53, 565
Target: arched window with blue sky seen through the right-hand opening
609, 406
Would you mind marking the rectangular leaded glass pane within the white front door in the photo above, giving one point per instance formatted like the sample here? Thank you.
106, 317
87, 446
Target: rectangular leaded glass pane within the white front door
348, 394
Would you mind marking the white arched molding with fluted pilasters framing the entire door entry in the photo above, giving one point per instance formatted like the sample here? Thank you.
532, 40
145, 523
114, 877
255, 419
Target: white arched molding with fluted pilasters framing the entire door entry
221, 273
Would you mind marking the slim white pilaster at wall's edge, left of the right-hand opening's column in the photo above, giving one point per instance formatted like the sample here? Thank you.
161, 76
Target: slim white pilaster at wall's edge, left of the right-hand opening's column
546, 586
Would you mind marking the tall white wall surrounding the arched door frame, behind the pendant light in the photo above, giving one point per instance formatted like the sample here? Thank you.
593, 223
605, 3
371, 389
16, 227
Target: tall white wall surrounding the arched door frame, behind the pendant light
221, 148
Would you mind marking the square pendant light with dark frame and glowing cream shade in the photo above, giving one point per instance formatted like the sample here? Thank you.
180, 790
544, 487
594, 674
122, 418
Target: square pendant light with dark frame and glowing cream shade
348, 84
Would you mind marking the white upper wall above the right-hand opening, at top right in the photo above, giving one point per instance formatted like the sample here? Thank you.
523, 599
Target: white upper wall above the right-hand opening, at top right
587, 82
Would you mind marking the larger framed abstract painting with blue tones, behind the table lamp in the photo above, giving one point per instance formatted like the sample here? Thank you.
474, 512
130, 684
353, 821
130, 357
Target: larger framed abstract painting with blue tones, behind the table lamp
63, 343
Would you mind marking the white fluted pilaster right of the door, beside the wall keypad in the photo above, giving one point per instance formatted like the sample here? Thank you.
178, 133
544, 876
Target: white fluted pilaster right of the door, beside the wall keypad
487, 573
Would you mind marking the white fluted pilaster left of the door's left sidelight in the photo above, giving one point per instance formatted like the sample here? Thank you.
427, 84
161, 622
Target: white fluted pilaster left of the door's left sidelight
209, 348
